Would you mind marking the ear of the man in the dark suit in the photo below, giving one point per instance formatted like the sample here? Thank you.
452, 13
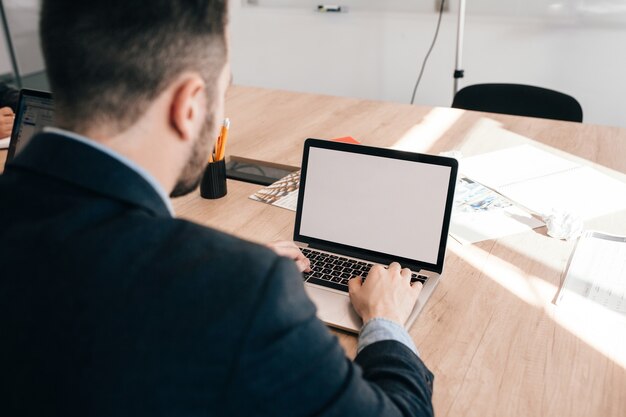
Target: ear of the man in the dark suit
188, 106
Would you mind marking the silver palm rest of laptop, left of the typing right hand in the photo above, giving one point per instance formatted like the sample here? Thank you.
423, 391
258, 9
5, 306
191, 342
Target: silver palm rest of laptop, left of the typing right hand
334, 308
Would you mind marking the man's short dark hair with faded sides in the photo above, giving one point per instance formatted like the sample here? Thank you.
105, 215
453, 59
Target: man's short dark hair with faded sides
108, 59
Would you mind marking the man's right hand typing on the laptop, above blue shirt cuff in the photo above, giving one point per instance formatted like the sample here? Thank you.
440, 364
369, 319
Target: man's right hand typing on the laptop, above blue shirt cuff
386, 293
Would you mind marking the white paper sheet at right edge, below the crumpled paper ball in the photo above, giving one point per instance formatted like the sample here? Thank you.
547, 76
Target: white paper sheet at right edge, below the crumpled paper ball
596, 277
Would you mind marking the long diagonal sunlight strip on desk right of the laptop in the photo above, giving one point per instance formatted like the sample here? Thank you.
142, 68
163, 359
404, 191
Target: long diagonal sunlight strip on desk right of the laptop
605, 337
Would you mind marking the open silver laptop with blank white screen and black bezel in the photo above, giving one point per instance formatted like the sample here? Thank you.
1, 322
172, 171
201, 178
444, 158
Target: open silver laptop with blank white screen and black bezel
359, 206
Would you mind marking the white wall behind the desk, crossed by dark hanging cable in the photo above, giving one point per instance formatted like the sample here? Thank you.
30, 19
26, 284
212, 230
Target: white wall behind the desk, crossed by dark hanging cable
377, 55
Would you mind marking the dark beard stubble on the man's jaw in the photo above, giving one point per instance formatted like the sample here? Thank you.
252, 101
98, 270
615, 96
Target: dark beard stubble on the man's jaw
190, 178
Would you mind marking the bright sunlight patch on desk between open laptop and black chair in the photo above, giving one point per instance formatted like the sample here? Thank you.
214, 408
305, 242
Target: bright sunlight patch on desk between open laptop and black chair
422, 137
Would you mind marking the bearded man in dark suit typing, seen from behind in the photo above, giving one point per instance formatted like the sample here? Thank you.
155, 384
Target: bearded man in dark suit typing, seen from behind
109, 305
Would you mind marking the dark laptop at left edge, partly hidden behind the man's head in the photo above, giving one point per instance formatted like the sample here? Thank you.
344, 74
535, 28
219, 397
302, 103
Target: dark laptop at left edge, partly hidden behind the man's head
35, 110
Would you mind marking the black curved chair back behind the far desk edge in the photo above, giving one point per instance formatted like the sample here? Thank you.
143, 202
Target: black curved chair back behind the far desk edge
519, 100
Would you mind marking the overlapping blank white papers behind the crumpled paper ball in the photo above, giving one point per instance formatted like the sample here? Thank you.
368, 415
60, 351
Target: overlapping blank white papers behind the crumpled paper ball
543, 182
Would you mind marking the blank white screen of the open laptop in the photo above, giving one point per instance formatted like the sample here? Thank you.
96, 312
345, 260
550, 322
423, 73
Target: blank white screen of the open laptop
381, 204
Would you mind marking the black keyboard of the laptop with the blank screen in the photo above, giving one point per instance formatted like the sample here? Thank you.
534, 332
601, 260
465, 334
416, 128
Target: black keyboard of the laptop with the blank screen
335, 271
